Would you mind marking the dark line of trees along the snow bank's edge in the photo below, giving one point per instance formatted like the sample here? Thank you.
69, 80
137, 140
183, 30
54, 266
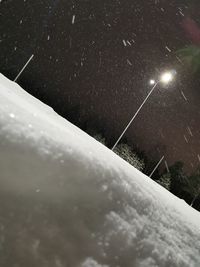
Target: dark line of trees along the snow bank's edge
174, 180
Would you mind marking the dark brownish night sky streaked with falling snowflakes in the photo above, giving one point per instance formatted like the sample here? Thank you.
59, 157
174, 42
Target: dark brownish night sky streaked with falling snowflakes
98, 56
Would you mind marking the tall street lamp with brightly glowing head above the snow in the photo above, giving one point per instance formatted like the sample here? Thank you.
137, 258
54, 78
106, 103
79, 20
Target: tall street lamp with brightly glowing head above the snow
165, 79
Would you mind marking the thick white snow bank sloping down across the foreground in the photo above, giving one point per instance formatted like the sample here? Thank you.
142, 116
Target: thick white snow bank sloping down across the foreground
68, 201
